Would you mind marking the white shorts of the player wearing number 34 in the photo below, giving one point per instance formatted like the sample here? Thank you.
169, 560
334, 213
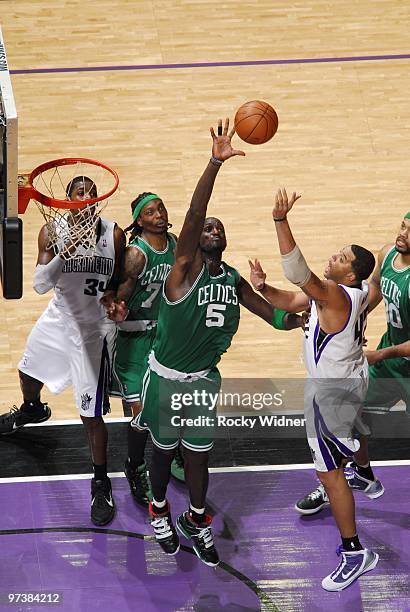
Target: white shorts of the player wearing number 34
61, 352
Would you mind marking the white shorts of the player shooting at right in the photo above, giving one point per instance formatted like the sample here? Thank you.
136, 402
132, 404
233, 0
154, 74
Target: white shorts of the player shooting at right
333, 413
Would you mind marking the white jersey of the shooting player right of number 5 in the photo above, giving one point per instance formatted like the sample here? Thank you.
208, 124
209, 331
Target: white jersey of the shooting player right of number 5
338, 355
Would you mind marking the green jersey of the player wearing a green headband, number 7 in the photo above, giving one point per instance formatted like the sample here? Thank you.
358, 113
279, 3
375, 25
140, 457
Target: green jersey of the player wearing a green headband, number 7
144, 302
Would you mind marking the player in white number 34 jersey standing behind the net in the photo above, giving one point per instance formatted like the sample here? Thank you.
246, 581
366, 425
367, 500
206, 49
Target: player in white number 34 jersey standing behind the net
72, 342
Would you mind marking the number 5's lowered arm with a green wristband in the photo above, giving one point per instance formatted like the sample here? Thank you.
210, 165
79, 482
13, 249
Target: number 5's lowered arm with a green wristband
278, 318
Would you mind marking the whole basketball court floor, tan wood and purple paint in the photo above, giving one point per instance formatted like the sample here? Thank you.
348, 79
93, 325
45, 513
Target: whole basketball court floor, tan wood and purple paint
136, 86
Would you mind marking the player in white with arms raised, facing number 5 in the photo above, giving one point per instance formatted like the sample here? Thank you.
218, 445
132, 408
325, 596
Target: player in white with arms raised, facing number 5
337, 372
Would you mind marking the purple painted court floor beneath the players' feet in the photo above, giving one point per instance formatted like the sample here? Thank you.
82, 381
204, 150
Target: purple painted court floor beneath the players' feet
273, 559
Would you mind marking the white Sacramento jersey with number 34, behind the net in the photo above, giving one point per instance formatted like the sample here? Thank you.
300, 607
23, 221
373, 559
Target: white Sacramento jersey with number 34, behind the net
84, 279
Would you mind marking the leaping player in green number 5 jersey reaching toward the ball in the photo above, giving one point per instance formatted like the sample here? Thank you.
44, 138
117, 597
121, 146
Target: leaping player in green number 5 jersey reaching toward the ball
198, 317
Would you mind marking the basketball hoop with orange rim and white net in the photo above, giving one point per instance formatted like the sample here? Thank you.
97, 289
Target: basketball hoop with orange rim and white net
73, 232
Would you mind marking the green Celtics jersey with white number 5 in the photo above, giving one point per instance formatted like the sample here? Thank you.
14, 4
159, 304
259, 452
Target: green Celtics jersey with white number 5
196, 330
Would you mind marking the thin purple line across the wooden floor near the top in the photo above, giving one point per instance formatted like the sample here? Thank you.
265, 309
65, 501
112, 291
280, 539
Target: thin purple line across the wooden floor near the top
306, 60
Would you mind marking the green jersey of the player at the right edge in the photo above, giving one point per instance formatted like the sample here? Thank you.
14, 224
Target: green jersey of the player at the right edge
395, 287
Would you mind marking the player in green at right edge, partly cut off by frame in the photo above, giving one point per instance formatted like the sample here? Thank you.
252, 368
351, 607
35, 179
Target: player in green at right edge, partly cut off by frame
389, 371
